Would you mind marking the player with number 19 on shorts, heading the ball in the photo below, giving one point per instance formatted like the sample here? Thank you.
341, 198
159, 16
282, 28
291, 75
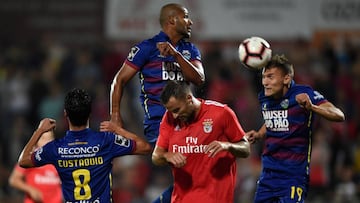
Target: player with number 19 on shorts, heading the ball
288, 111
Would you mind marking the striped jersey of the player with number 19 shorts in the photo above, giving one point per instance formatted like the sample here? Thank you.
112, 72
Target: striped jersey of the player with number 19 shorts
288, 131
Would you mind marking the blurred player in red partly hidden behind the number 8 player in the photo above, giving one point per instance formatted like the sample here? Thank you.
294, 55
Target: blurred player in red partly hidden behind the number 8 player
39, 184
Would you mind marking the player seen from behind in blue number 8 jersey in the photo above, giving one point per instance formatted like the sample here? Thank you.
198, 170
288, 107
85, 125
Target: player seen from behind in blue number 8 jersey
83, 158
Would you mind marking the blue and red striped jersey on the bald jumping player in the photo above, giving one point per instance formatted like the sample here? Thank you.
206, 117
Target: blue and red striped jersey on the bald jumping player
154, 70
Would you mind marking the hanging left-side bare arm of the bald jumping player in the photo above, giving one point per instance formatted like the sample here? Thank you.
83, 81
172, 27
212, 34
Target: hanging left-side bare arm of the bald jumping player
117, 87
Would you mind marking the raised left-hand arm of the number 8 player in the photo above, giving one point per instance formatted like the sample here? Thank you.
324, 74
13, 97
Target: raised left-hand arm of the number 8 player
45, 125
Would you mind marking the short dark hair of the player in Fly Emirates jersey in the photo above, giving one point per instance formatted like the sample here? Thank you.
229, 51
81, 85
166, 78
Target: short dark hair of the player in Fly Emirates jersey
175, 88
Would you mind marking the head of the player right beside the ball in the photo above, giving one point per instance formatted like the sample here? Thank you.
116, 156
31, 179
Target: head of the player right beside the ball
277, 76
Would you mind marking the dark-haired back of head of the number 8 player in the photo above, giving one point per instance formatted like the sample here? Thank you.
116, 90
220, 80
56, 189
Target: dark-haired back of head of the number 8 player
78, 107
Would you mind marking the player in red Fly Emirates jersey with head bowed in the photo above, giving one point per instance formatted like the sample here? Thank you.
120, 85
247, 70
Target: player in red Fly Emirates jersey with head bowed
200, 139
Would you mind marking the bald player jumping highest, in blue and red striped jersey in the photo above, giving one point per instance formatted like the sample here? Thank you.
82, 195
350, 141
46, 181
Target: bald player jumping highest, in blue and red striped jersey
166, 56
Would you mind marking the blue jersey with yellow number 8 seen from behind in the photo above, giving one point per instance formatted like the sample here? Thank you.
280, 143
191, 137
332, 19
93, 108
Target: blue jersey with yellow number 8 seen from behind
83, 160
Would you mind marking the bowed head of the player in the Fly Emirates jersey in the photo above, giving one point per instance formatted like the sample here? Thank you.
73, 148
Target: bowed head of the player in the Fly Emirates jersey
178, 99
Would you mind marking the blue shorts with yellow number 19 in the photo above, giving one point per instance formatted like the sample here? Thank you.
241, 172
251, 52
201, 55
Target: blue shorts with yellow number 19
277, 187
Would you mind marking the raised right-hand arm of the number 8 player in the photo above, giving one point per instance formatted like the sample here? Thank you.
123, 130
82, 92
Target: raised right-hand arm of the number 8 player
142, 146
